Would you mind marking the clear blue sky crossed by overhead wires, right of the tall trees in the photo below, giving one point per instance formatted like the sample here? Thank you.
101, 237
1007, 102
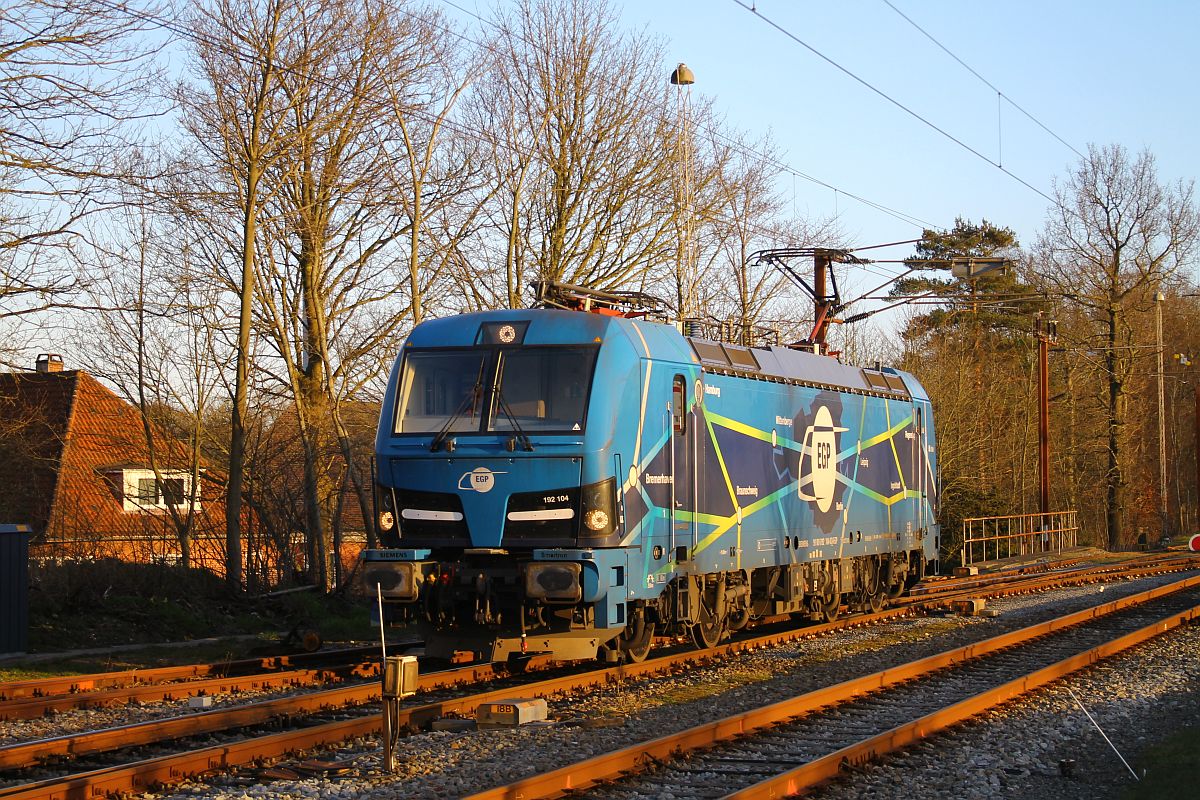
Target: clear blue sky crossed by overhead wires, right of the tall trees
1097, 73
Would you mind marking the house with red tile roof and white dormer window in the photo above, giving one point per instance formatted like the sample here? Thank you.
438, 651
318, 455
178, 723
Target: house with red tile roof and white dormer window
75, 465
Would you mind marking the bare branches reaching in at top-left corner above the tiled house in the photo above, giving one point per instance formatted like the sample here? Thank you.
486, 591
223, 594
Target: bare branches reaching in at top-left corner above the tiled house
73, 75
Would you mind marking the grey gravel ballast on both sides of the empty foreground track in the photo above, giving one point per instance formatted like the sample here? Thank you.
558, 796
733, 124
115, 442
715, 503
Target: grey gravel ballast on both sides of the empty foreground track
1138, 699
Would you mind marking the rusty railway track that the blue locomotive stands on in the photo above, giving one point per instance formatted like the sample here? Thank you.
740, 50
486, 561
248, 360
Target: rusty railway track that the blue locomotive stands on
356, 723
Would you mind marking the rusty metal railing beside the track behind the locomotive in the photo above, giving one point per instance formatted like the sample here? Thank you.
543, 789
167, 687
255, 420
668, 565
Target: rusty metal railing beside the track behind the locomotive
1027, 534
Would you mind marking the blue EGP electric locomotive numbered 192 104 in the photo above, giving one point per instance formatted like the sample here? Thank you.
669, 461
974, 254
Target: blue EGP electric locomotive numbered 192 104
575, 484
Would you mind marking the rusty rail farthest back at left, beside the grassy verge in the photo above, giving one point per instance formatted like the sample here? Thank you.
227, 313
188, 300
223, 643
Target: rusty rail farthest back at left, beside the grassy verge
76, 684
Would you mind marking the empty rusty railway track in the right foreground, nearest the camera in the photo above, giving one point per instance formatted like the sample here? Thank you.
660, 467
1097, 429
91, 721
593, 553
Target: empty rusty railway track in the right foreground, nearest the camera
787, 748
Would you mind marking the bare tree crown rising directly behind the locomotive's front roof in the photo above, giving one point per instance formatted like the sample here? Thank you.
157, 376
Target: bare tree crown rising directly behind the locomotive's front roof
575, 109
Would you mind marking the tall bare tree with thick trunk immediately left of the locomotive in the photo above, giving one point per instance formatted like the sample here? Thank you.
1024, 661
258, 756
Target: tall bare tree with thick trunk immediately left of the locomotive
367, 77
